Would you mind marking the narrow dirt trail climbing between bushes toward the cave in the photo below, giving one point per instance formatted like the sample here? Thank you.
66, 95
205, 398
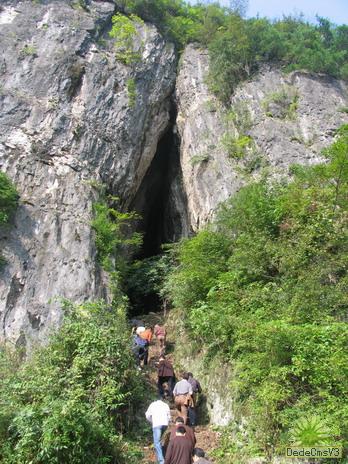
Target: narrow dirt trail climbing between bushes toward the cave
206, 437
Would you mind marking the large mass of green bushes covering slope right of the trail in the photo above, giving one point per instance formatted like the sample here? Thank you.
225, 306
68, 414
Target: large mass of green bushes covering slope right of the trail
265, 289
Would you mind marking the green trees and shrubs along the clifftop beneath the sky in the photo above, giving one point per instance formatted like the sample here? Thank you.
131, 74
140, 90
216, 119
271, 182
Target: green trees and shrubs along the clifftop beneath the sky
239, 46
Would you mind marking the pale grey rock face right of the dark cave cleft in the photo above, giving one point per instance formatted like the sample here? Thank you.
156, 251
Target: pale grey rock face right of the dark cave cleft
284, 119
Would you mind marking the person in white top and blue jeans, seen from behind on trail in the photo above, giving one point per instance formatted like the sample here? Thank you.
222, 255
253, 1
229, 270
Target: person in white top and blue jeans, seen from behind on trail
158, 414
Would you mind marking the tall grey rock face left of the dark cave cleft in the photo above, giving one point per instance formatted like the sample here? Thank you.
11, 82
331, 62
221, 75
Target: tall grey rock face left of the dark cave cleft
68, 122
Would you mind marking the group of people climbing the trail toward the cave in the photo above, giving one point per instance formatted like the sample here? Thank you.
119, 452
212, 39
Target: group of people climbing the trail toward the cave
178, 443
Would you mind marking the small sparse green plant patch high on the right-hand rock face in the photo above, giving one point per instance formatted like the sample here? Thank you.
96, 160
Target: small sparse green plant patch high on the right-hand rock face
282, 104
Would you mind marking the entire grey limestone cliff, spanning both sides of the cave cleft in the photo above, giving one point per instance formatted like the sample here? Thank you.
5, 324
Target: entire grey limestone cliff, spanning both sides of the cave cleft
73, 116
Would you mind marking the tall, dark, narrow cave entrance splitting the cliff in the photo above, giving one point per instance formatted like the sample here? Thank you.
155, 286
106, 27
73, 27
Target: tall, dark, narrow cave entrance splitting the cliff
161, 203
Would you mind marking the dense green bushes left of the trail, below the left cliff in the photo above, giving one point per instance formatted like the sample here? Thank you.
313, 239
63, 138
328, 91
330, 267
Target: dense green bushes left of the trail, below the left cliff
75, 400
